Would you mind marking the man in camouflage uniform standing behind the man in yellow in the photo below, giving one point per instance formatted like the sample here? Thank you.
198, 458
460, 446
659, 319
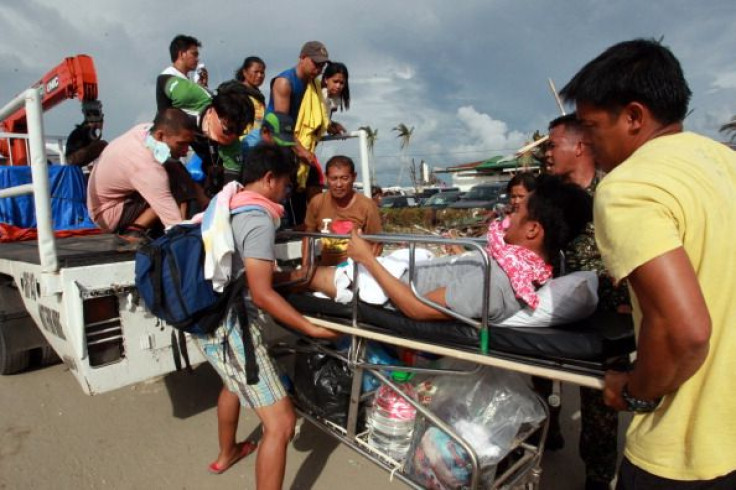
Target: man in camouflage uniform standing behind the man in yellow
568, 156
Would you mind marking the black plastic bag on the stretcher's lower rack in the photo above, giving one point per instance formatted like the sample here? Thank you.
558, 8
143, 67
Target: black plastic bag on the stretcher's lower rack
322, 384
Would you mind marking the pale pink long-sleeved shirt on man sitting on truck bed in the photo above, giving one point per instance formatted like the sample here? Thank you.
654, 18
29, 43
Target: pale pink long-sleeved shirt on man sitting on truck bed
126, 166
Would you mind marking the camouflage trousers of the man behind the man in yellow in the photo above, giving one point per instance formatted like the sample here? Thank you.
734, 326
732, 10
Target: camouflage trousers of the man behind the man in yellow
598, 432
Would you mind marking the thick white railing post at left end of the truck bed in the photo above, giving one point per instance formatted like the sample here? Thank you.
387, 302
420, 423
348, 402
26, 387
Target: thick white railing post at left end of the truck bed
39, 174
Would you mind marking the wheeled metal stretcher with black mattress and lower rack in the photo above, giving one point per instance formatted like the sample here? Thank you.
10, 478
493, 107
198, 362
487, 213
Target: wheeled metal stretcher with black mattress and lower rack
577, 353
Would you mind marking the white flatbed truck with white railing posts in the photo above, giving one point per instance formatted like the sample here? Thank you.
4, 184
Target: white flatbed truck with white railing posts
76, 296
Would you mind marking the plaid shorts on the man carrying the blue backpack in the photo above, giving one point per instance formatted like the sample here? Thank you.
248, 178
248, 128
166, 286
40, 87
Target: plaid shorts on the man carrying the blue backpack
230, 365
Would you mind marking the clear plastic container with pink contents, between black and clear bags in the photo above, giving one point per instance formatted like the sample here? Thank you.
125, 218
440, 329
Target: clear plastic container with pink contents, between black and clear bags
391, 421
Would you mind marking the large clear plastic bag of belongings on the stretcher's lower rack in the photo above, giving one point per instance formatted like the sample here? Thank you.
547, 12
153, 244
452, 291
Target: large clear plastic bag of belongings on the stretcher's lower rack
487, 411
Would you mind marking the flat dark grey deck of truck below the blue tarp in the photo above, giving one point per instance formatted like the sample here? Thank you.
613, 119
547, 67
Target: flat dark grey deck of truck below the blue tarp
71, 252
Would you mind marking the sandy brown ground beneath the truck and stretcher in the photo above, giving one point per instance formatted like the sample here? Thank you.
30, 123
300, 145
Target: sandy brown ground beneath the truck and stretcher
162, 434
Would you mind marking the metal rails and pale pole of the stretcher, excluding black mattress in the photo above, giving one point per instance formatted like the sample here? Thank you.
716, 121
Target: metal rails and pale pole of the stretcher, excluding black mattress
524, 472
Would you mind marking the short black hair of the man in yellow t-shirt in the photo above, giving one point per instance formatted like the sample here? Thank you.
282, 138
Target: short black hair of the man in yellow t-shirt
641, 71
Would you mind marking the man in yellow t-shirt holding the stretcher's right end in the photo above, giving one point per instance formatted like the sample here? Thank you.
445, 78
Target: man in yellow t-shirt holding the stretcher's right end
665, 221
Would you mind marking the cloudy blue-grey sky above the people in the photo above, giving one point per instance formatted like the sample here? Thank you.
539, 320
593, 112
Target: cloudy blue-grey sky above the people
469, 75
